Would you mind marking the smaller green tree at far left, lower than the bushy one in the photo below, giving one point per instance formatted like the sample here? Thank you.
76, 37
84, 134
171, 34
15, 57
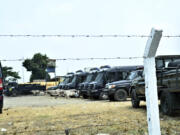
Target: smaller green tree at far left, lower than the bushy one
7, 72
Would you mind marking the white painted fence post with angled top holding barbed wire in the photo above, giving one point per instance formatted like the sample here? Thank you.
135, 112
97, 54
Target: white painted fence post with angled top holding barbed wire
151, 82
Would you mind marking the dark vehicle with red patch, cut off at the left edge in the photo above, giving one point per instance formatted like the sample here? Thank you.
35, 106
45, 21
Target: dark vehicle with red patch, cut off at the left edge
1, 89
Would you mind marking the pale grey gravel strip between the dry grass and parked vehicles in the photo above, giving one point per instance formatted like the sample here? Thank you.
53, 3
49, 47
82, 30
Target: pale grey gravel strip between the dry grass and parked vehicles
41, 101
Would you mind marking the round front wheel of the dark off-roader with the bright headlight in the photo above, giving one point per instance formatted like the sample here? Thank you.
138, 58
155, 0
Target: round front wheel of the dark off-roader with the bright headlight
120, 95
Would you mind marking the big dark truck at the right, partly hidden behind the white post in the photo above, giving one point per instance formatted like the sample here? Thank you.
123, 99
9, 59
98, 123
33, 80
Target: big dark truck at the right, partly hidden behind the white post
168, 84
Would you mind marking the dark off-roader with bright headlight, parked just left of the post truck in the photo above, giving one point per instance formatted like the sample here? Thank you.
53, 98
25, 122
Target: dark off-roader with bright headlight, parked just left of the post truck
119, 90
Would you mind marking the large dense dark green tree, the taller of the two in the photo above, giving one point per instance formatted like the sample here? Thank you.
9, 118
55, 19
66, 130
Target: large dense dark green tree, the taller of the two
37, 66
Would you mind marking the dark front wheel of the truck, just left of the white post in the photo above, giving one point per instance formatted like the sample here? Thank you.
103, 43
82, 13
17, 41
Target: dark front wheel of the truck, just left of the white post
134, 99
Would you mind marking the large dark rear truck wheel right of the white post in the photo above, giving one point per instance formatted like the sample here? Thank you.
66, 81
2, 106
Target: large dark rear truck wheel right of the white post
167, 102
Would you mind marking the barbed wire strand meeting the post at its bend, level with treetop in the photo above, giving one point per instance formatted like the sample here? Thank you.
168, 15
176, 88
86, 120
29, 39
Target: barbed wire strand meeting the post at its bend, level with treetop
79, 59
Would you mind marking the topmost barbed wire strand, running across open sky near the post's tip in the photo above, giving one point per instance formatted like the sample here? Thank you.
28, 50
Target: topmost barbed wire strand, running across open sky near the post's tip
82, 36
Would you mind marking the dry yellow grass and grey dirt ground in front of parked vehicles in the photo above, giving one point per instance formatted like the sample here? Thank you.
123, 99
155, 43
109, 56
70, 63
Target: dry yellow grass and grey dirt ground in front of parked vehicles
31, 115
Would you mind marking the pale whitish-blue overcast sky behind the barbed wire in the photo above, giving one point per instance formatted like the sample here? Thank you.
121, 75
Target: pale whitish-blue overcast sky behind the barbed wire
85, 17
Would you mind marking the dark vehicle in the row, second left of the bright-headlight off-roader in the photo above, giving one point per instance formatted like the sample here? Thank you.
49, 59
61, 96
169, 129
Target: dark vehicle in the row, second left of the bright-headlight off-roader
82, 87
